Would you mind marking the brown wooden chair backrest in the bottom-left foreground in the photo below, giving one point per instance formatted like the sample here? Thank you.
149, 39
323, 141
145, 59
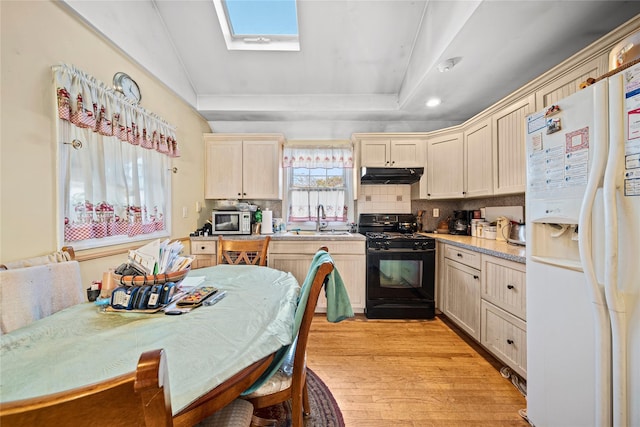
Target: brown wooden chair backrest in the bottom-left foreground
139, 398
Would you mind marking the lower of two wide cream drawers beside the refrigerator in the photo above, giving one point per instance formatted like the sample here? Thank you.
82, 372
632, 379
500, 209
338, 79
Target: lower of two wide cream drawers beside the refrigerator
505, 336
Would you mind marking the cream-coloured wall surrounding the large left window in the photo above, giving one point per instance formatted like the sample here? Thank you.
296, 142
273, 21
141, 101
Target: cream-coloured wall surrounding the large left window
35, 36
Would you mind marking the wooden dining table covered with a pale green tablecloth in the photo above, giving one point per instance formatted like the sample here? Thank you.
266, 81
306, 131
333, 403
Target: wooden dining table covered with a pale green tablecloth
213, 352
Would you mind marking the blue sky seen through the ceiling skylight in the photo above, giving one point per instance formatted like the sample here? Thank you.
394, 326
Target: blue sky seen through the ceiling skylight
263, 17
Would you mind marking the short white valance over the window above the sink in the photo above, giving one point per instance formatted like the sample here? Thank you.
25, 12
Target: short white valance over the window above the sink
317, 157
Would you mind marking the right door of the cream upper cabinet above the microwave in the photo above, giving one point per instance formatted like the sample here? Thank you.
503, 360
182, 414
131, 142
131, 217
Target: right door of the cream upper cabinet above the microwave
262, 170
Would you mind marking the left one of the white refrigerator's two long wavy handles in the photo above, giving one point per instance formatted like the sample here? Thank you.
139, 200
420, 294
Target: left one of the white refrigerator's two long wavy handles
602, 334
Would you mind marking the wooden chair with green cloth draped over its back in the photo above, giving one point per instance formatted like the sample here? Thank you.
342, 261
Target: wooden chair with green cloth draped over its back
282, 387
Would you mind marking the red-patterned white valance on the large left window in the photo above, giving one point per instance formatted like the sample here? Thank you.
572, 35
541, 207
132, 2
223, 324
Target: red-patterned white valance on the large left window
88, 103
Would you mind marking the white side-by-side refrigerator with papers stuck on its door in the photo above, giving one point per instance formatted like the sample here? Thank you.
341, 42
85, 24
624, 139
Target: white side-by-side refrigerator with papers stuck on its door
583, 257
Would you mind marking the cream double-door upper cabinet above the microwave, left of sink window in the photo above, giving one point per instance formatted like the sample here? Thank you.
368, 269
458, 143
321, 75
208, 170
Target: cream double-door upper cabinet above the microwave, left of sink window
243, 166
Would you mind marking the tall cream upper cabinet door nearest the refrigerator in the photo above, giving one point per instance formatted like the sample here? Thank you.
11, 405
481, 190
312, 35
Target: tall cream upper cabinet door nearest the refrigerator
508, 129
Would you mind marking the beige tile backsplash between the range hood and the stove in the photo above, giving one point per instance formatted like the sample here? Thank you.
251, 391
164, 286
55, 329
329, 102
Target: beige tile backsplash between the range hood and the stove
386, 198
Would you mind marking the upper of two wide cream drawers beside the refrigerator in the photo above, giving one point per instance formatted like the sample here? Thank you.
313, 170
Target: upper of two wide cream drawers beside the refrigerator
504, 284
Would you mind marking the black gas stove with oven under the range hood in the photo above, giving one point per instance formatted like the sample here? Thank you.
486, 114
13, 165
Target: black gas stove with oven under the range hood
400, 267
